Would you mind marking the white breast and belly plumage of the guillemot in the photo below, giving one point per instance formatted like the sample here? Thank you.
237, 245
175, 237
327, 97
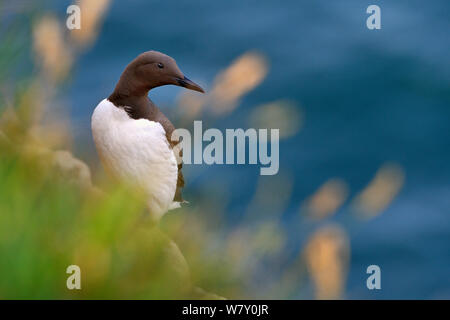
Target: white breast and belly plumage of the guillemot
138, 152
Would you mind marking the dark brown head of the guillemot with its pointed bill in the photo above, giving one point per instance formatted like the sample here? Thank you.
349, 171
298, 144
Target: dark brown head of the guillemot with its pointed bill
153, 69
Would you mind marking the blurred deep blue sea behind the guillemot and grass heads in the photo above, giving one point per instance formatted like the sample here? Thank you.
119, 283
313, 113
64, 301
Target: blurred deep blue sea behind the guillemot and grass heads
367, 98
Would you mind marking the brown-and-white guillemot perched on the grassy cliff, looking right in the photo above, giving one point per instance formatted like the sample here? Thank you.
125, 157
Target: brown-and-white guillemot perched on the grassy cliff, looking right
134, 138
